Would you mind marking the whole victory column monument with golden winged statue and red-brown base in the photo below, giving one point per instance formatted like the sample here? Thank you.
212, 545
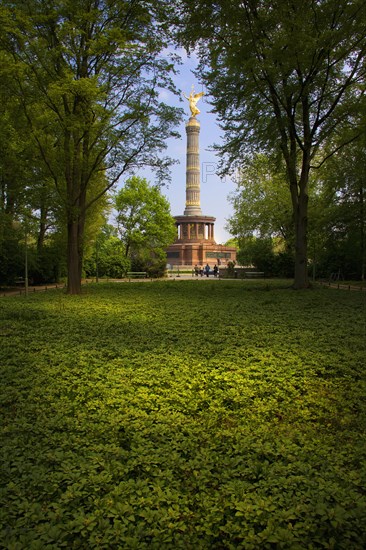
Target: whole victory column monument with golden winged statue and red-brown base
195, 243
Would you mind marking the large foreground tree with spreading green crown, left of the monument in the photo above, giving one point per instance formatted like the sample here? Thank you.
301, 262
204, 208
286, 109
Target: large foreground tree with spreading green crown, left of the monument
88, 74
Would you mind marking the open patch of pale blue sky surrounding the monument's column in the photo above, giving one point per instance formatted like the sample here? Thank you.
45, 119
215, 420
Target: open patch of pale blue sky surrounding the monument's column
214, 191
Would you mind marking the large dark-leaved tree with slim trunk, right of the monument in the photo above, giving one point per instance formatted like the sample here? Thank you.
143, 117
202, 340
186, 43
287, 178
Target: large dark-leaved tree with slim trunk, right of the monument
285, 73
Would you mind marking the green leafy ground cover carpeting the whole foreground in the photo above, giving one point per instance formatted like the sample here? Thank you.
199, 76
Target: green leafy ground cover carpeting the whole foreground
183, 415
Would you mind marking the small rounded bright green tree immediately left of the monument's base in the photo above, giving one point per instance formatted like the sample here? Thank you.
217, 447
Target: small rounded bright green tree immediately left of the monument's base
145, 224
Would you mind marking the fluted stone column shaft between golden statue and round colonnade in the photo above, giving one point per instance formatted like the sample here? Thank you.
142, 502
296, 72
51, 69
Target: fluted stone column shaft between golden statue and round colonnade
193, 202
